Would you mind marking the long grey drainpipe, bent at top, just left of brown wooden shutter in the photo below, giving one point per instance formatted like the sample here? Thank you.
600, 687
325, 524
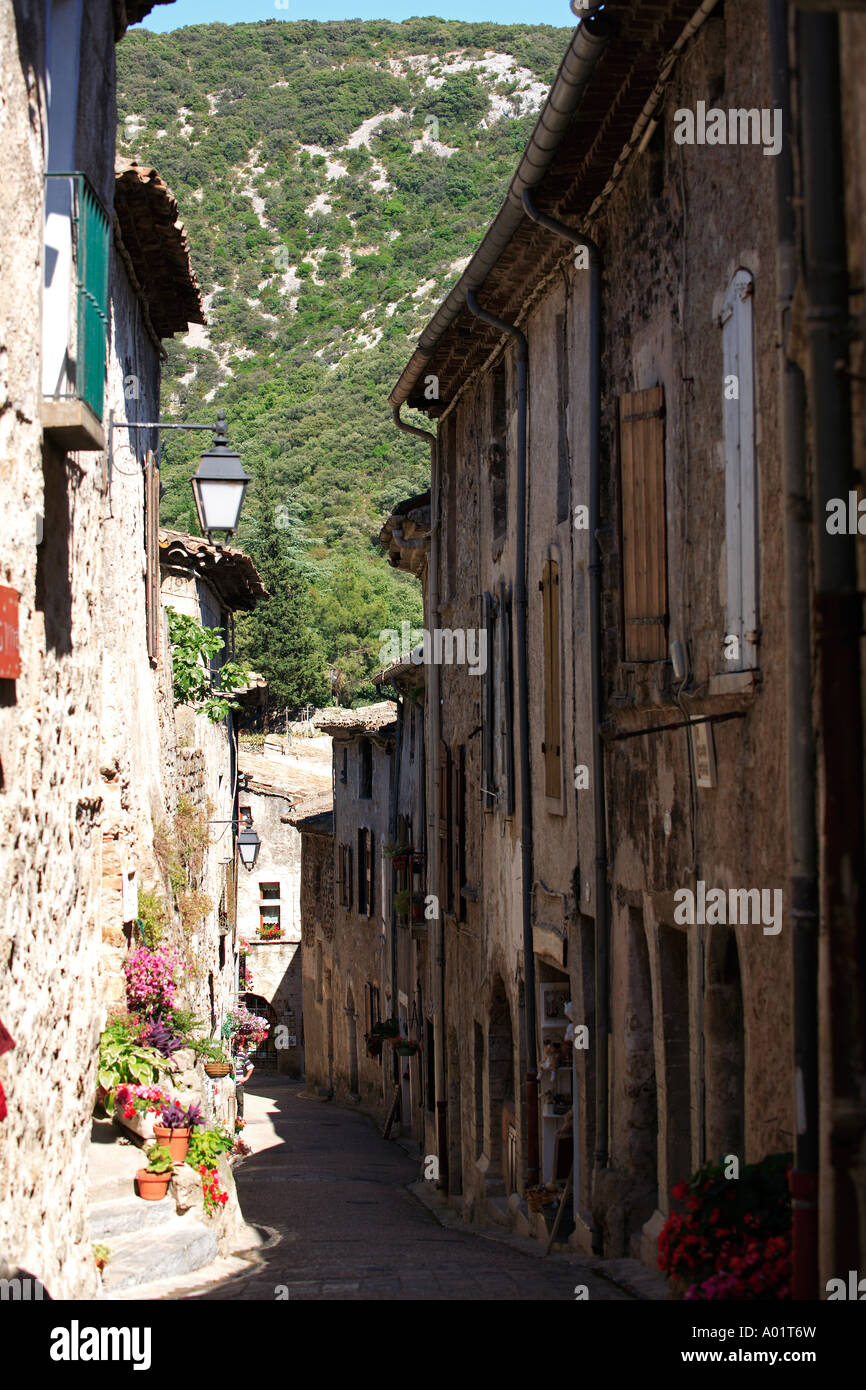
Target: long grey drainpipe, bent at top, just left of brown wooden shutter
603, 915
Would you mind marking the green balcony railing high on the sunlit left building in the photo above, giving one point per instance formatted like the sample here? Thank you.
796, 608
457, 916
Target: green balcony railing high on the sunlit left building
90, 227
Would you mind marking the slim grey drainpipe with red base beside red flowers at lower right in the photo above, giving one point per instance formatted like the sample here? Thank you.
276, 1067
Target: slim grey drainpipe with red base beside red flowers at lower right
803, 840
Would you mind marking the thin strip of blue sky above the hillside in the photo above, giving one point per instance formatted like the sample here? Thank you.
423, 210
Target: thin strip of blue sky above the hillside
233, 12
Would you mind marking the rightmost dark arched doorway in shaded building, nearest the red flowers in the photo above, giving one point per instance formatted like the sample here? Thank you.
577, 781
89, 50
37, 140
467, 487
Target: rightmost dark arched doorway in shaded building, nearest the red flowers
725, 1047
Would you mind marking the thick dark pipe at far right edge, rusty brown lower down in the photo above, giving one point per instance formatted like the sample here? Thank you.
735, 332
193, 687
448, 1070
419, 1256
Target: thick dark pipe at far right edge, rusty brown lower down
839, 616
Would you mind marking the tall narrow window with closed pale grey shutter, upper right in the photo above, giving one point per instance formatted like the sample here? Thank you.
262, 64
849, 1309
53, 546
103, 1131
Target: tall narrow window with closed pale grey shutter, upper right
740, 475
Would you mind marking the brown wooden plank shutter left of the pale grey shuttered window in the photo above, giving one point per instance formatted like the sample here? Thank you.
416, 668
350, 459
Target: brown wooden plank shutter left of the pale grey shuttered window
644, 525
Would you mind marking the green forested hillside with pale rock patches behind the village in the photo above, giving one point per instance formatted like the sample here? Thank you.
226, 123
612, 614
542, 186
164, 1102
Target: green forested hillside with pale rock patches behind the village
334, 179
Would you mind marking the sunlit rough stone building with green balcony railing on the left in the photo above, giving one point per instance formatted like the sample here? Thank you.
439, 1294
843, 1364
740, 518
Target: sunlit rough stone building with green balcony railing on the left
83, 309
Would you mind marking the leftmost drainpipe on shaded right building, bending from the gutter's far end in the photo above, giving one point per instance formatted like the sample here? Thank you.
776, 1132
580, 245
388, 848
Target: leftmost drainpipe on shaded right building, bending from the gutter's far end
432, 729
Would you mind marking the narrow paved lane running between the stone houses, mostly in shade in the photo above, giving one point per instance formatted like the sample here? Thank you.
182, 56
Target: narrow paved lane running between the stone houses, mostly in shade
336, 1193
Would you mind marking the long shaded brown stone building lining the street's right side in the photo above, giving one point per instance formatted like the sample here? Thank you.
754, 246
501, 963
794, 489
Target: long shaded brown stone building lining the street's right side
612, 457
